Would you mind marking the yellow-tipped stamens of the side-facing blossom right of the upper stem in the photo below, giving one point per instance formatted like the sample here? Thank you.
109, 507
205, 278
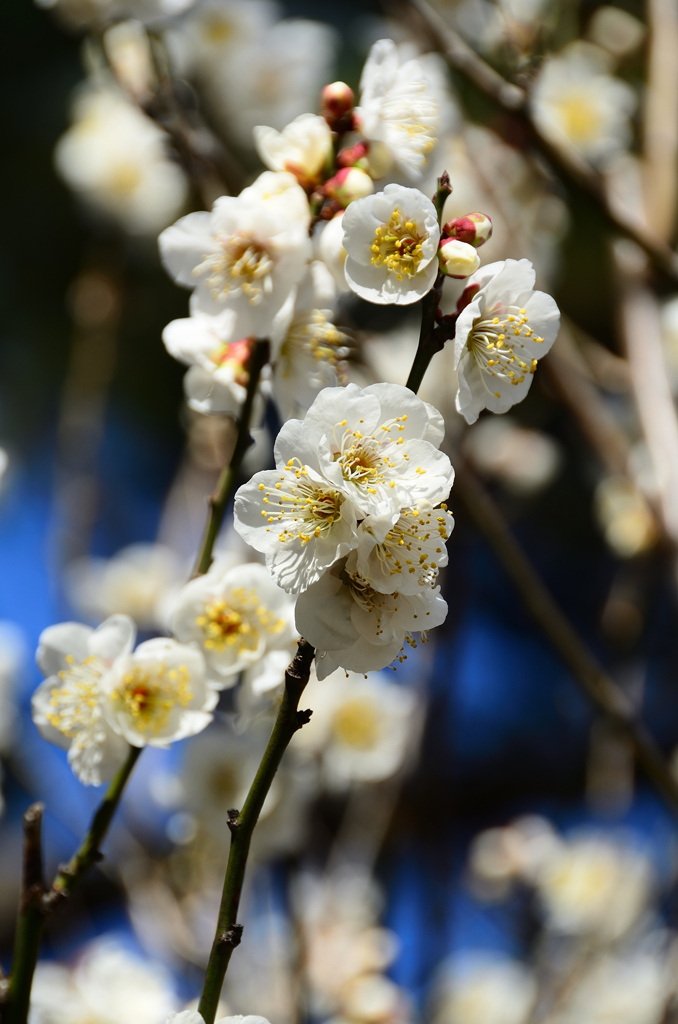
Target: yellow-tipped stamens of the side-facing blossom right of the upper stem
496, 343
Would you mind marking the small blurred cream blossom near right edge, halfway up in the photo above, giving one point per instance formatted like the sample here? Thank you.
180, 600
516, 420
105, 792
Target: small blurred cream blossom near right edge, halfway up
625, 517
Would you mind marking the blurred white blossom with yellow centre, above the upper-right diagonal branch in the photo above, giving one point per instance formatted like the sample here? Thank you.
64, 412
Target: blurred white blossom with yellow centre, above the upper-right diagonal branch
576, 101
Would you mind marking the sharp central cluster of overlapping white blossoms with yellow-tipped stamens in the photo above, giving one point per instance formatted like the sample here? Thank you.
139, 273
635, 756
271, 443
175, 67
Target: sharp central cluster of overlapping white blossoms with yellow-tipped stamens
349, 522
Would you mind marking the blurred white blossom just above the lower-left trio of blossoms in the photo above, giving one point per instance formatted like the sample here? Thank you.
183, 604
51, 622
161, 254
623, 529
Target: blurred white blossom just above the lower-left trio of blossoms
138, 582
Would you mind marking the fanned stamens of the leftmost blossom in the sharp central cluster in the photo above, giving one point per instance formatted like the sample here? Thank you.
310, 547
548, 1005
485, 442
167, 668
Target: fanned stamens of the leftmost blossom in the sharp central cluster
308, 510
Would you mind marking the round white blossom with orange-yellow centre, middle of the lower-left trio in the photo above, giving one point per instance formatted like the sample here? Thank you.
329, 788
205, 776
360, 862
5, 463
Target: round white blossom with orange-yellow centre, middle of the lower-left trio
159, 694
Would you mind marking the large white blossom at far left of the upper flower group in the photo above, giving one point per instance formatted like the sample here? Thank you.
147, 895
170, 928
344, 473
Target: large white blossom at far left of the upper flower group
247, 254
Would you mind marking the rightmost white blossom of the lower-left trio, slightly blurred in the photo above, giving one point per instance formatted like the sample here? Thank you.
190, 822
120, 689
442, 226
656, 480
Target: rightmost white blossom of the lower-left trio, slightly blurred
240, 620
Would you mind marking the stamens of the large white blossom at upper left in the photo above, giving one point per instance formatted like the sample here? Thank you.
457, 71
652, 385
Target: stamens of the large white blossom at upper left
239, 266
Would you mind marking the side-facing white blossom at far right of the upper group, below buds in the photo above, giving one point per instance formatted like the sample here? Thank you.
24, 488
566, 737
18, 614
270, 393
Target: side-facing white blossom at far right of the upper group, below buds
499, 337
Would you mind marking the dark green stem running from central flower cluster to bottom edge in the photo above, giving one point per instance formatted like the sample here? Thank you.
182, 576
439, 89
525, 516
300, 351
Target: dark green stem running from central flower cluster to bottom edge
242, 826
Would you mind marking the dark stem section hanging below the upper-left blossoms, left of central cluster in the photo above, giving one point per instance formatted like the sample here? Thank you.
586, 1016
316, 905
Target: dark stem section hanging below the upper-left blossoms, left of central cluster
226, 489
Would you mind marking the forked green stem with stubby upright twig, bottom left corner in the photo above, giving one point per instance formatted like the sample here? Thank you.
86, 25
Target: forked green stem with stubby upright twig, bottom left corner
36, 906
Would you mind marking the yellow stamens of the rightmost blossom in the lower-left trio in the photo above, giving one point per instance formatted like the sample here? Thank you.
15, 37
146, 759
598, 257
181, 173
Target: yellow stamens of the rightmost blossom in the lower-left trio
238, 622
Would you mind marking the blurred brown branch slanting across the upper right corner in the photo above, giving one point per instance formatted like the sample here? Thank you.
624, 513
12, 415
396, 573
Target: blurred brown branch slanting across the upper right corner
515, 103
